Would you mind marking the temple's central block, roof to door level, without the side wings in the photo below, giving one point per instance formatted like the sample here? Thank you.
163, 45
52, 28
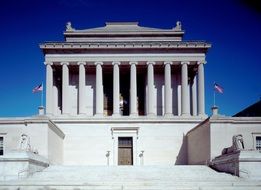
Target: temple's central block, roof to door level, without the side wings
124, 81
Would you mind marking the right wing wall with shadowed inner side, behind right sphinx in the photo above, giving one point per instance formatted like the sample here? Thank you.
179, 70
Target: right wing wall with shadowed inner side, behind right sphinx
207, 140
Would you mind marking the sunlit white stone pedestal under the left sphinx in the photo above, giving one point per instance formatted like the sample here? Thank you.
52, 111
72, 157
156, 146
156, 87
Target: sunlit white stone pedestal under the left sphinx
20, 164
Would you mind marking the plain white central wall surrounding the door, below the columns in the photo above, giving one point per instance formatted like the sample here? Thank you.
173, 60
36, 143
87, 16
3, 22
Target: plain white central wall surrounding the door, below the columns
88, 141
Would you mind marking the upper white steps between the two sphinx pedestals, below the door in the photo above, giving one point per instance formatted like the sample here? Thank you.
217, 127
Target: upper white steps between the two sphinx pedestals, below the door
132, 173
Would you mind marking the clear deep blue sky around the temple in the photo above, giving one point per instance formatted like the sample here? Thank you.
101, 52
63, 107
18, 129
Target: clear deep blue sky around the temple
233, 27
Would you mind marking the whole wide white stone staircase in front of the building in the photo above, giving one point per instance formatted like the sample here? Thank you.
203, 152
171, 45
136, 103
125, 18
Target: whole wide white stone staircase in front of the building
131, 178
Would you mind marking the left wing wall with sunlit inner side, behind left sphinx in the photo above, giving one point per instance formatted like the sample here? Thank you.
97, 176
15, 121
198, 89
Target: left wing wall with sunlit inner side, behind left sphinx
44, 136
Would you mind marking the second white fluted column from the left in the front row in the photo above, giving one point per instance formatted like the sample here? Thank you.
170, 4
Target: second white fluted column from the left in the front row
65, 85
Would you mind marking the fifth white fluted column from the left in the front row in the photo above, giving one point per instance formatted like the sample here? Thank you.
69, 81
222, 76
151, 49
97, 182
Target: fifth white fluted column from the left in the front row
116, 88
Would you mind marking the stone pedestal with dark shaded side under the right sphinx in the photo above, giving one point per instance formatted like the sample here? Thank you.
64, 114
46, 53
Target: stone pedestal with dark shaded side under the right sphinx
244, 163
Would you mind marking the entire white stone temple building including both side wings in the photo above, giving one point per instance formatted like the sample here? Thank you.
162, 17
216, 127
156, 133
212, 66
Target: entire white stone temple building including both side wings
123, 94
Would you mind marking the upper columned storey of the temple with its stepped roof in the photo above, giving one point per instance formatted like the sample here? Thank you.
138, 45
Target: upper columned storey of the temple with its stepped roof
94, 74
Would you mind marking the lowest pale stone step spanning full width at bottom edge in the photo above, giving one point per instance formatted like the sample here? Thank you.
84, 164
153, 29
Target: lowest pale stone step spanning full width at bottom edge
28, 185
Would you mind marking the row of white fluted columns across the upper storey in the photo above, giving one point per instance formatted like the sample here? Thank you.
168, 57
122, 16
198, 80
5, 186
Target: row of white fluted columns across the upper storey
198, 99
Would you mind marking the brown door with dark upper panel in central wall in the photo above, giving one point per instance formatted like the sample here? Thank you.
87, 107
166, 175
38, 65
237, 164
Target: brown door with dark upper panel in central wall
125, 151
